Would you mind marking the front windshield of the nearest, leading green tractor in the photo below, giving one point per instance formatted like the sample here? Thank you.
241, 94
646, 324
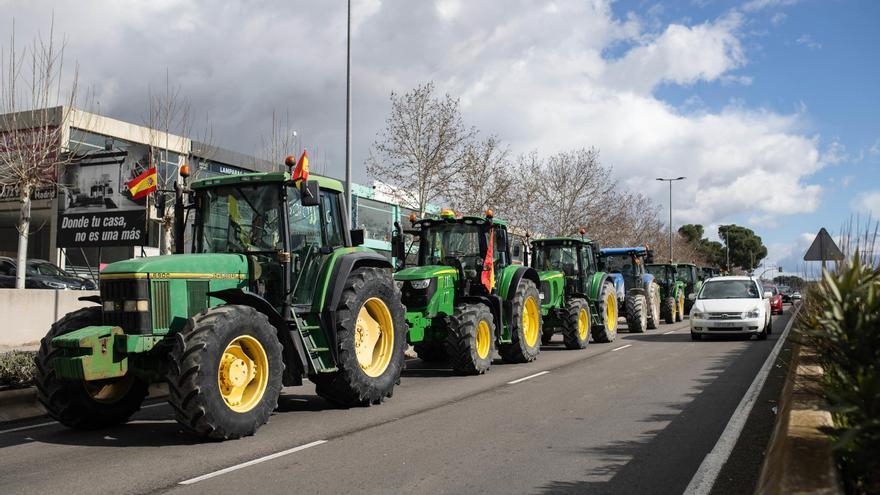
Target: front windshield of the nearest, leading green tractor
240, 219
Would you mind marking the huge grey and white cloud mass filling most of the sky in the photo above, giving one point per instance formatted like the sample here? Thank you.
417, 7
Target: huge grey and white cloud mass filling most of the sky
536, 74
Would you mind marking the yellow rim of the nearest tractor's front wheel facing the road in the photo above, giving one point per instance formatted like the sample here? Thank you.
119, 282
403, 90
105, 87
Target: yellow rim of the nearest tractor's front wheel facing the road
243, 373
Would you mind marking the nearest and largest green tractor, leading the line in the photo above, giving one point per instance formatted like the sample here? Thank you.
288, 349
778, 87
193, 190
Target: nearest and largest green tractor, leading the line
273, 291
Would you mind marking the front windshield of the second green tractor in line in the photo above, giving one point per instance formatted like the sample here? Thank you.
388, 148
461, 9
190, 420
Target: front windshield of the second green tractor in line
452, 243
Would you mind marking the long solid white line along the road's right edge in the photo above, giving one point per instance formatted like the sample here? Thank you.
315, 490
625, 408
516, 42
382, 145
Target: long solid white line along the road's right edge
707, 473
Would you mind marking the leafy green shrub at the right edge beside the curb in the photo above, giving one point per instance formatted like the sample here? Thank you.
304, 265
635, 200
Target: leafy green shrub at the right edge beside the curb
842, 322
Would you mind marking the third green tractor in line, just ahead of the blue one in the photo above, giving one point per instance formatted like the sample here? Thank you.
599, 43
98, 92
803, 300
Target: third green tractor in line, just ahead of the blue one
578, 301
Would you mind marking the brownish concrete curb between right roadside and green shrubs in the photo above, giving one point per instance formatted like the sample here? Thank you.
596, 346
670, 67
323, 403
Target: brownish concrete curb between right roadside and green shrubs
799, 458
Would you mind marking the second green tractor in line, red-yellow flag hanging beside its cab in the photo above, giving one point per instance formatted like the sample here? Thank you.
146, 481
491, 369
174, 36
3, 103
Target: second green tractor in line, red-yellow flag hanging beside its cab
465, 298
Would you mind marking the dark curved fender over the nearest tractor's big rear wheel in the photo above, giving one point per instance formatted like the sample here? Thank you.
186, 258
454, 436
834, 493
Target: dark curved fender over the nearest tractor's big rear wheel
343, 265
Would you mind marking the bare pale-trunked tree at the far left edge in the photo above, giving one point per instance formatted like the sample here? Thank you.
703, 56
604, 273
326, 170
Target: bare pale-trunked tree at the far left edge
36, 102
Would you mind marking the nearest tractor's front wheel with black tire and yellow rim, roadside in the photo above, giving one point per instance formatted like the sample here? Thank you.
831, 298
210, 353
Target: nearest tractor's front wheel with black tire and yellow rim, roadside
225, 371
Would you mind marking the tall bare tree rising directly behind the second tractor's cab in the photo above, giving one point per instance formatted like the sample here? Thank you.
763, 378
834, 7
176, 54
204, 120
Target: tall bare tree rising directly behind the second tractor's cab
422, 147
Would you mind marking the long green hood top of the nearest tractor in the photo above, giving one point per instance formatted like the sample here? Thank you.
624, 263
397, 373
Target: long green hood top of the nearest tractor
182, 266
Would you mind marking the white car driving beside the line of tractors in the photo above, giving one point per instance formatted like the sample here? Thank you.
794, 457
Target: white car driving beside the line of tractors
731, 306
